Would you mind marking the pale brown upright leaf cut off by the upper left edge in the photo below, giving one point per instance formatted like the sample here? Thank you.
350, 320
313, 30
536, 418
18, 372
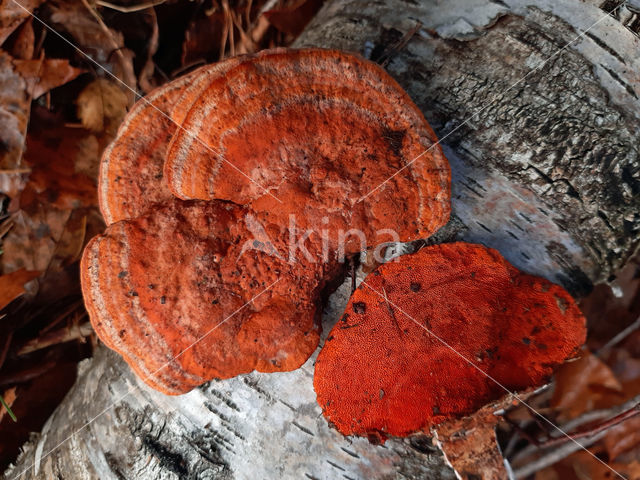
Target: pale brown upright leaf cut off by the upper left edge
14, 113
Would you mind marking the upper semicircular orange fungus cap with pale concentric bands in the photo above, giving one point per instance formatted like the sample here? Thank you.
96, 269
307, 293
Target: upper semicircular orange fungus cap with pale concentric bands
321, 134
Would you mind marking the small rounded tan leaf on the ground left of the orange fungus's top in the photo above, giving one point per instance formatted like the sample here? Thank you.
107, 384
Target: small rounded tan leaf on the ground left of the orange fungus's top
102, 105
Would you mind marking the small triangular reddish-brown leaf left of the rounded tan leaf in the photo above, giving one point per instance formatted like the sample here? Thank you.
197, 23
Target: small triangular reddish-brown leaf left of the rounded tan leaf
44, 75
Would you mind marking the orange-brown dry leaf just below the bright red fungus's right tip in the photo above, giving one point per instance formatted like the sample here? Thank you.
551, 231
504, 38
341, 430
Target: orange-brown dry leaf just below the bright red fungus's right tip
583, 385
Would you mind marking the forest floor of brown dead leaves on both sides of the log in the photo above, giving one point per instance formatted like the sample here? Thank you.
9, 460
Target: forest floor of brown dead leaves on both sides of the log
69, 72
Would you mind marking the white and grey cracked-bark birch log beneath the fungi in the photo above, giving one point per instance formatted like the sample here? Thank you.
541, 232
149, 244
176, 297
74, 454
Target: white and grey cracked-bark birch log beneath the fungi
545, 169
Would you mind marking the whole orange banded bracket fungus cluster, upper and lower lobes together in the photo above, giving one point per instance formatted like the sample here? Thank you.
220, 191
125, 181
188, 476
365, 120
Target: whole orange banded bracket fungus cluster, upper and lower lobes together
319, 130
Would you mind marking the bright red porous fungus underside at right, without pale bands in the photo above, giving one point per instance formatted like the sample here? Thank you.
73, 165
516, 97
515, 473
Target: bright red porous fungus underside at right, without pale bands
417, 335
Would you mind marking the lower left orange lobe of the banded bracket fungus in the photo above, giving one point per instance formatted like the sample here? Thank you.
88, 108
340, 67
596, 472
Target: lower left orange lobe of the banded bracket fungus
177, 293
